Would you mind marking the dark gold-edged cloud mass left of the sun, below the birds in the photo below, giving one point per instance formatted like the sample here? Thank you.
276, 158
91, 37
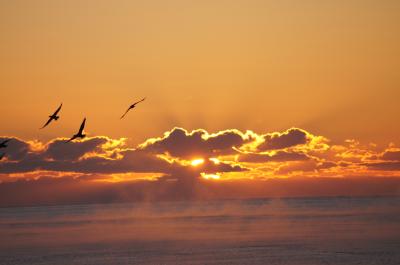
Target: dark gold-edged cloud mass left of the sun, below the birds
92, 155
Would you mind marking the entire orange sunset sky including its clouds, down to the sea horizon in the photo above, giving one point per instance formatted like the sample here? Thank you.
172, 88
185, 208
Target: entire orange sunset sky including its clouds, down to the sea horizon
268, 90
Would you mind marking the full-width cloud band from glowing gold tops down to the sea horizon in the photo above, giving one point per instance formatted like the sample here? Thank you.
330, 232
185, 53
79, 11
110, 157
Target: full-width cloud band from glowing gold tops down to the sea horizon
101, 169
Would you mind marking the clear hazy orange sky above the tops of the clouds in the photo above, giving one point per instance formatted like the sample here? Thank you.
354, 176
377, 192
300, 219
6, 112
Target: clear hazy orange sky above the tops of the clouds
330, 67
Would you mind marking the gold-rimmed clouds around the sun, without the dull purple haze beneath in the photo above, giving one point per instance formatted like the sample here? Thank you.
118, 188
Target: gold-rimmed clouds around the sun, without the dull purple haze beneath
229, 153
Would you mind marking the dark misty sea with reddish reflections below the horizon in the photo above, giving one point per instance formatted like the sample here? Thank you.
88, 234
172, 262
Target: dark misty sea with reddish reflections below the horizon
277, 231
